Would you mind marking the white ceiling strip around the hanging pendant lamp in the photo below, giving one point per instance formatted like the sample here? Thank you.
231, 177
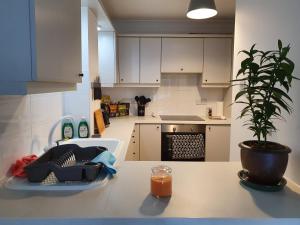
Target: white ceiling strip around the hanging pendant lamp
161, 9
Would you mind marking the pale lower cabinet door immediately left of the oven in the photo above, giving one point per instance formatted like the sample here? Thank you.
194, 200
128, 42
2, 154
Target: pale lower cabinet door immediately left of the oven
150, 142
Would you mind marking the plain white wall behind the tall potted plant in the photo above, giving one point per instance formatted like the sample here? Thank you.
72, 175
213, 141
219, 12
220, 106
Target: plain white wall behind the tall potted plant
263, 22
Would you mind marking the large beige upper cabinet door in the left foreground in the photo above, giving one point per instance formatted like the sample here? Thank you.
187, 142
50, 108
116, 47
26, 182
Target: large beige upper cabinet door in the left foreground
56, 33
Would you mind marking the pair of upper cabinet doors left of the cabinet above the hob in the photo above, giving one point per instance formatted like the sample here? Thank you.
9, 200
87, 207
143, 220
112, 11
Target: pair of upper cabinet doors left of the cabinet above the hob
139, 60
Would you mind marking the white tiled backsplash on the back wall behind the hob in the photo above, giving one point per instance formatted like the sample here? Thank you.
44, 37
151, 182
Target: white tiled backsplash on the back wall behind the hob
178, 94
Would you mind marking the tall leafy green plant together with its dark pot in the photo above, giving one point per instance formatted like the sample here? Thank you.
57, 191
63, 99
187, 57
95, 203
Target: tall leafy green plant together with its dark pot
265, 78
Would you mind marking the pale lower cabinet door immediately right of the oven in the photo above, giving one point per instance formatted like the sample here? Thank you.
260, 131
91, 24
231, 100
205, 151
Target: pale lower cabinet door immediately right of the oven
217, 143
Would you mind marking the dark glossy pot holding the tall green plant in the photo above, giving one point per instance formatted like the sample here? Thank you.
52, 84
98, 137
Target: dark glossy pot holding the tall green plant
265, 164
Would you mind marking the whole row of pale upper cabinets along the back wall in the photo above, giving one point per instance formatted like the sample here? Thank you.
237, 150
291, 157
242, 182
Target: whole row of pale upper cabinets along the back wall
142, 59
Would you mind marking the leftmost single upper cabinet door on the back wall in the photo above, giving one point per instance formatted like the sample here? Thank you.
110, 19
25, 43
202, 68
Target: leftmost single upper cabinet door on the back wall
129, 59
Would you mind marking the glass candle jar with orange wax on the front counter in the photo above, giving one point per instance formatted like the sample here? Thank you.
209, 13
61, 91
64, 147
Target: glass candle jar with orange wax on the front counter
161, 181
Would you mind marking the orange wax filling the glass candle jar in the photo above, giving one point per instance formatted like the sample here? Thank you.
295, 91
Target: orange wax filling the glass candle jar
161, 186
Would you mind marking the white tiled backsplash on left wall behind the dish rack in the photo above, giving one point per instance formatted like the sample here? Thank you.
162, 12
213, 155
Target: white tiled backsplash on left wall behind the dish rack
25, 122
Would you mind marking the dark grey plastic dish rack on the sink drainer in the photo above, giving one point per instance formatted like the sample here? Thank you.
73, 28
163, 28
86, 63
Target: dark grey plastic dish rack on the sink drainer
65, 163
